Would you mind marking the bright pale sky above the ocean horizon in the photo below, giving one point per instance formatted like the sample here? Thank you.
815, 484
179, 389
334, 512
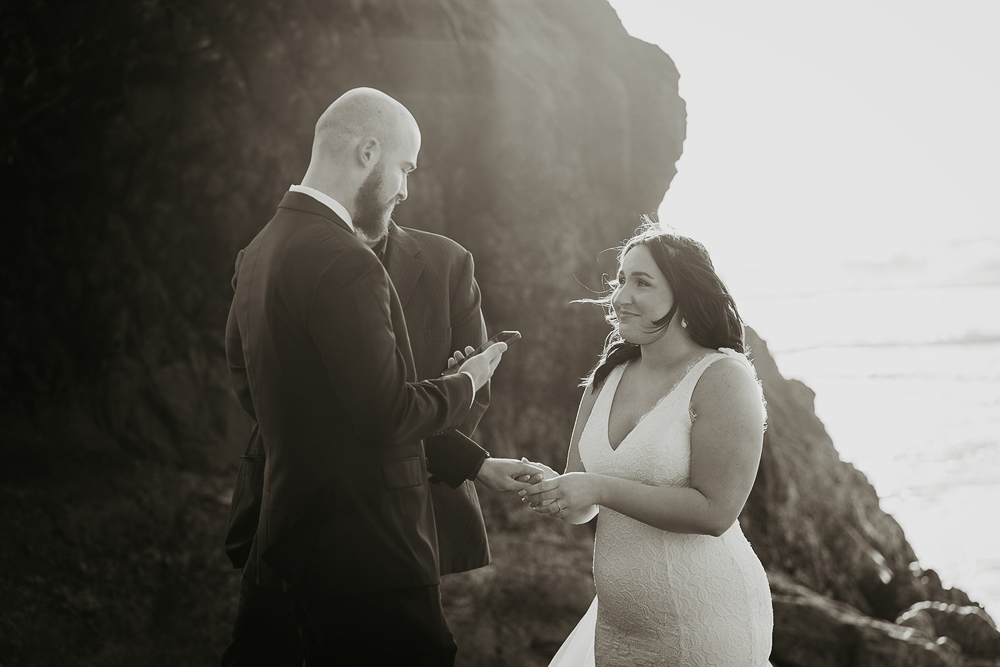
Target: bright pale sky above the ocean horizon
823, 137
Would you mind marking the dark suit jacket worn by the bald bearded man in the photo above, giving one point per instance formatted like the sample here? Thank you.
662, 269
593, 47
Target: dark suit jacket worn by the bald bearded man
319, 355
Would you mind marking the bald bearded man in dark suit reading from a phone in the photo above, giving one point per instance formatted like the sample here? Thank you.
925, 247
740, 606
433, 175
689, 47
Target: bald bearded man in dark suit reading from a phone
319, 356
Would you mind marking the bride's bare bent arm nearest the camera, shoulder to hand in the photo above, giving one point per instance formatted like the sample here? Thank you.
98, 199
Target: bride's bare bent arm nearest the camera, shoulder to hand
726, 442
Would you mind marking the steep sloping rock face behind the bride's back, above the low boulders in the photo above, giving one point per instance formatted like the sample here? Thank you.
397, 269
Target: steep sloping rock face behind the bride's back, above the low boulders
818, 519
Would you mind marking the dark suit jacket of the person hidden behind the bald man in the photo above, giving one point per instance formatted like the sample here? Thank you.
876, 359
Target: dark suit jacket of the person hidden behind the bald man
434, 279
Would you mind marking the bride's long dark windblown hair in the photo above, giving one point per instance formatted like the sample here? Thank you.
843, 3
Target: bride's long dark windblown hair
700, 296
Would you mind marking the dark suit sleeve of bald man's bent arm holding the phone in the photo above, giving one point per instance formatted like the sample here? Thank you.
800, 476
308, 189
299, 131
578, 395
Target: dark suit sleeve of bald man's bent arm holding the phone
349, 320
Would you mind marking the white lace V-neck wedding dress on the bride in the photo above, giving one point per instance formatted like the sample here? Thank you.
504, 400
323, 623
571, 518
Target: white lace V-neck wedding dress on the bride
665, 598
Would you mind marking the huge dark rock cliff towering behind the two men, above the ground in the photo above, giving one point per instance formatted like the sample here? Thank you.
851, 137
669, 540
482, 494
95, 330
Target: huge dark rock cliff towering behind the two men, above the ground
169, 132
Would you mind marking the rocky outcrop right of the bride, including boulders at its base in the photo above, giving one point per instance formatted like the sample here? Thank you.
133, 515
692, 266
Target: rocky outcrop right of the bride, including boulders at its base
844, 580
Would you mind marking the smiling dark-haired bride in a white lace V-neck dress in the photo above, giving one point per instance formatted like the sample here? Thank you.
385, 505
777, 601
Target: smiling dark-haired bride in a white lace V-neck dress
666, 445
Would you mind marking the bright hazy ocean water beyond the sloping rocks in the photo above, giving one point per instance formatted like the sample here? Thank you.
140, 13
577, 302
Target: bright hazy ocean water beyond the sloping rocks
907, 383
